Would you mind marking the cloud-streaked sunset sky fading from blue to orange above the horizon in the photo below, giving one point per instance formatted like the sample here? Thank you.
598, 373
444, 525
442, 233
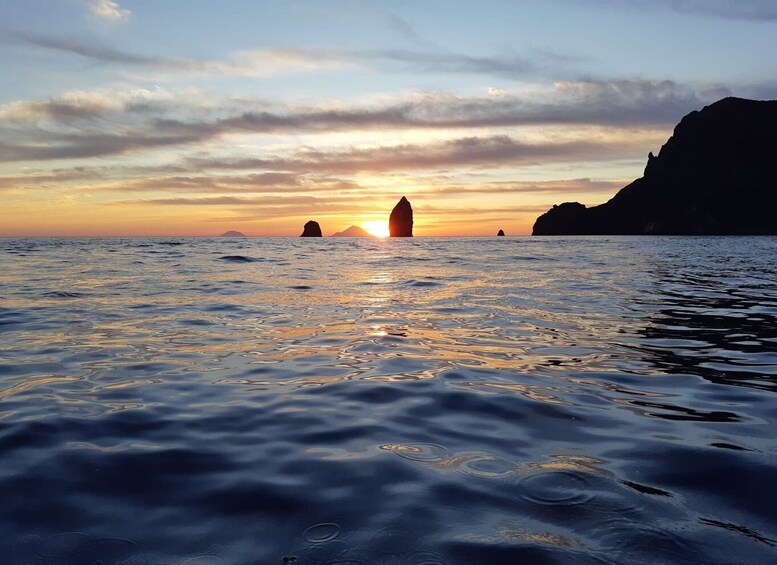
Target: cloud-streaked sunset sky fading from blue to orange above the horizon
193, 117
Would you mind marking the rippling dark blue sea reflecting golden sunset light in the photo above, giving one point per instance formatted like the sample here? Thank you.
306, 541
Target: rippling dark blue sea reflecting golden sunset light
360, 401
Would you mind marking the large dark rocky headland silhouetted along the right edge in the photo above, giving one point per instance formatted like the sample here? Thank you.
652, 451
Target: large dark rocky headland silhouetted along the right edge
716, 175
